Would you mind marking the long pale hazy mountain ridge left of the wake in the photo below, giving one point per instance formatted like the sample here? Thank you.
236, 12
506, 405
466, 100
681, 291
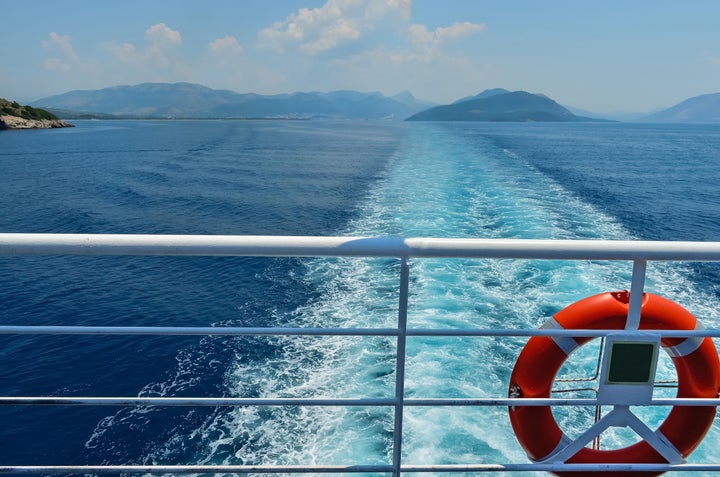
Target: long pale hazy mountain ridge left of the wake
186, 100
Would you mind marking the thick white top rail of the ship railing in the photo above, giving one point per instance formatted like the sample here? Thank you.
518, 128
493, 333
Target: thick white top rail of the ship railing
303, 246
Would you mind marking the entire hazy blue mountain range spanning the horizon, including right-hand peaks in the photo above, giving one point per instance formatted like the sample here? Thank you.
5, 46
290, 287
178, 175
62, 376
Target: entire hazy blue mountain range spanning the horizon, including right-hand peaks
187, 100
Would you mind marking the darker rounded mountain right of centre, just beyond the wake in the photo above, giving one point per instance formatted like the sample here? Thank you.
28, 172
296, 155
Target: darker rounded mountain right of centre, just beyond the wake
516, 106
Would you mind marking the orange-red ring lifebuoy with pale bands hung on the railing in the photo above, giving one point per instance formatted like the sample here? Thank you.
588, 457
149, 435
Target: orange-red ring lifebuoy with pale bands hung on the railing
695, 359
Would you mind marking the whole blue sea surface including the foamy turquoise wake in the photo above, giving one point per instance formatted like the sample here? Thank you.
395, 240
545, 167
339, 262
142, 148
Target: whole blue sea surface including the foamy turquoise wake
349, 178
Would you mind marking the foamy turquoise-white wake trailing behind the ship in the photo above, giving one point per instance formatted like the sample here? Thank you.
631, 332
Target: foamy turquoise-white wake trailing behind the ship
442, 185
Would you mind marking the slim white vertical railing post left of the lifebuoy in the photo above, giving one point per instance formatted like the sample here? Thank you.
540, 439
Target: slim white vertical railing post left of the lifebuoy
400, 365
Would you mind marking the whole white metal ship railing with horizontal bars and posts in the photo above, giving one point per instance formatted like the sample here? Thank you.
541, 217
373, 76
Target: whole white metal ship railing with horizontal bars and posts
639, 252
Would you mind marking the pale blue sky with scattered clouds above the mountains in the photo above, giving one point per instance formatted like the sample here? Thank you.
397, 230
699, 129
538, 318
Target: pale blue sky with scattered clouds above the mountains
605, 56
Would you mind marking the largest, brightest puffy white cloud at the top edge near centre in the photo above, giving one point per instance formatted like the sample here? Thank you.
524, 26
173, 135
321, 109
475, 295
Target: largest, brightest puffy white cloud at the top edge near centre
334, 25
